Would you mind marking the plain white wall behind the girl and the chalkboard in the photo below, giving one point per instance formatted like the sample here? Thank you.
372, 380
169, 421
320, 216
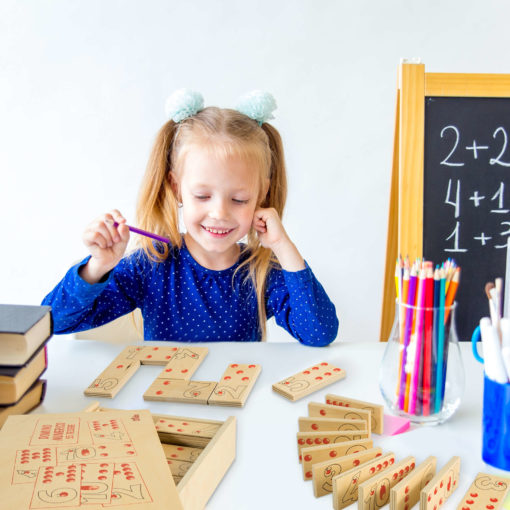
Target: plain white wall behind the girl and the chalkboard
82, 91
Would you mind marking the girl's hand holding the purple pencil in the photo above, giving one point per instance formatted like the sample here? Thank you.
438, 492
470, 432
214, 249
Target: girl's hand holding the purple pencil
106, 244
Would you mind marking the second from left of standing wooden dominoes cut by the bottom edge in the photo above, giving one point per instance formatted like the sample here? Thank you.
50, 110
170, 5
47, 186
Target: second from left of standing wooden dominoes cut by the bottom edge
375, 492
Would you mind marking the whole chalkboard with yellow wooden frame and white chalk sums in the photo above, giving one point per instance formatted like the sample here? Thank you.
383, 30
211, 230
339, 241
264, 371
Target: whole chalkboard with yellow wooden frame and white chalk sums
450, 185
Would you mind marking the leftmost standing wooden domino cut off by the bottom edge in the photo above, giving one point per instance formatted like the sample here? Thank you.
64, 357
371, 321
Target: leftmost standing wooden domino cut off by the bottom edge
345, 485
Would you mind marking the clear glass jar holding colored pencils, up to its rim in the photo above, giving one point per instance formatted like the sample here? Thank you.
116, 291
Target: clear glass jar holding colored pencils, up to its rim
421, 375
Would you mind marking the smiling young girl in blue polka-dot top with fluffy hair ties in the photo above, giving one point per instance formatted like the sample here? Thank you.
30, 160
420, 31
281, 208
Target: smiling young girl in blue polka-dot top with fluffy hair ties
224, 169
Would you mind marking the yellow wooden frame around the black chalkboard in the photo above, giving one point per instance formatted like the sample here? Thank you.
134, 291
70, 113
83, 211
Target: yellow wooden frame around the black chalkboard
405, 221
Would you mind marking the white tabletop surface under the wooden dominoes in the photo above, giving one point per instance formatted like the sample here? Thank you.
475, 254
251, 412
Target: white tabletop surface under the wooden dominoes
266, 473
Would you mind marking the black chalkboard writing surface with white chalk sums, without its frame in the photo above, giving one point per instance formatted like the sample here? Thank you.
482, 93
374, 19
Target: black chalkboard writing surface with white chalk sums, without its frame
466, 204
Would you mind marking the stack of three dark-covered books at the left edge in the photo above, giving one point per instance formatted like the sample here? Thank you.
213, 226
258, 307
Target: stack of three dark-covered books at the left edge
24, 331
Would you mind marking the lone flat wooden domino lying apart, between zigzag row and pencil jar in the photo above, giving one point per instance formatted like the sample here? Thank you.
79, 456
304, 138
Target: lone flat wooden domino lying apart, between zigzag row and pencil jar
309, 380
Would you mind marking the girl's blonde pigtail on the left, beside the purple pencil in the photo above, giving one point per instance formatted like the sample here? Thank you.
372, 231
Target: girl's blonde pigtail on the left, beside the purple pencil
157, 209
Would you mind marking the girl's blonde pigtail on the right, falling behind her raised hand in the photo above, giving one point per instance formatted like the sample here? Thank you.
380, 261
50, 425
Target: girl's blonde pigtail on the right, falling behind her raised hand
262, 260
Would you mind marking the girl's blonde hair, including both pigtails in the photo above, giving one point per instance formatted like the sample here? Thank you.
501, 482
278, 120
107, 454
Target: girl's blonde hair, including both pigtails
226, 132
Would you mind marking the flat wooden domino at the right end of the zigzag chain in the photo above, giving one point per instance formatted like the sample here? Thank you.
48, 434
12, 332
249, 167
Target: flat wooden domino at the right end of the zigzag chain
235, 385
